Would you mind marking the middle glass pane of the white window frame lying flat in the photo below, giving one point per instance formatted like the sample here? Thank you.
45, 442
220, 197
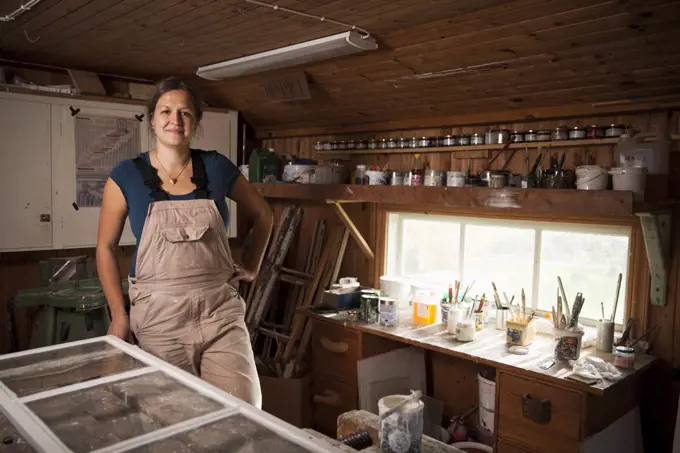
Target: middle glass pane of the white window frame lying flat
100, 416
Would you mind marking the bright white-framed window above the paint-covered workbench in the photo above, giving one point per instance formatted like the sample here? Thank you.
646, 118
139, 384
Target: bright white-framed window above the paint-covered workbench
515, 255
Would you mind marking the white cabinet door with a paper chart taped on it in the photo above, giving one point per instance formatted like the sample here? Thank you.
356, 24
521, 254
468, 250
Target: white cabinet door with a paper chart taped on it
91, 140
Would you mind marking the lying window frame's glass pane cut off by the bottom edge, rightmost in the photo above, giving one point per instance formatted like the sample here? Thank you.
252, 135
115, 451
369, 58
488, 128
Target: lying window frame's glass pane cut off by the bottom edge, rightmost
236, 434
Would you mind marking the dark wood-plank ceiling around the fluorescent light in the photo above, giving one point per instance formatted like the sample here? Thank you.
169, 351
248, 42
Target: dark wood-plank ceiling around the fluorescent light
484, 55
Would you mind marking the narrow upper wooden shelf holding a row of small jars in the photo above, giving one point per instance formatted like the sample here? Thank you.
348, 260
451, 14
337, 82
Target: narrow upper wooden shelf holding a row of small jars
453, 149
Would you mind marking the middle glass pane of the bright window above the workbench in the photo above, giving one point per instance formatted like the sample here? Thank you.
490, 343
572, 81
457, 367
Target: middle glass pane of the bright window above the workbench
501, 254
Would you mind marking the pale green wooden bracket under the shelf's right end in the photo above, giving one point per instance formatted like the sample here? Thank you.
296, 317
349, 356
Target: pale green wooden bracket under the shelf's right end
656, 229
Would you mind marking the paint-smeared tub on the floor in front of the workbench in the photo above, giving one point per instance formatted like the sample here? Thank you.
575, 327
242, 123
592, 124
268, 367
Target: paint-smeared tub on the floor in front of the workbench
403, 430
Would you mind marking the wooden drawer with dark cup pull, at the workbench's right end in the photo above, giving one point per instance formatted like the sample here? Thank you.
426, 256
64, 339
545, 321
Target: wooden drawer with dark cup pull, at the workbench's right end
560, 432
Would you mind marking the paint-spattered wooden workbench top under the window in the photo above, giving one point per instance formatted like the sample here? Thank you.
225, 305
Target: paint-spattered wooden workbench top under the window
489, 348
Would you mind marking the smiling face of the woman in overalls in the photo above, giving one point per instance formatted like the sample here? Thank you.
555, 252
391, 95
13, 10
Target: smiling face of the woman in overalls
174, 119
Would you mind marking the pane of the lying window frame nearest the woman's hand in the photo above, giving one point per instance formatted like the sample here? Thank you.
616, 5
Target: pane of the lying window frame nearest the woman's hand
33, 373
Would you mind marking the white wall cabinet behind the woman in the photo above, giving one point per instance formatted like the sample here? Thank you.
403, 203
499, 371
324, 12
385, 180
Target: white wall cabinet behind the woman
58, 152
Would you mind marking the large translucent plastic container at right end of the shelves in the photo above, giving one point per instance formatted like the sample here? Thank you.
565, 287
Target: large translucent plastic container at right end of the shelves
643, 150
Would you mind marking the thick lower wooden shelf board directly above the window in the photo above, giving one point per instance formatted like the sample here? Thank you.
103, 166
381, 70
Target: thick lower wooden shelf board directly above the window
604, 203
